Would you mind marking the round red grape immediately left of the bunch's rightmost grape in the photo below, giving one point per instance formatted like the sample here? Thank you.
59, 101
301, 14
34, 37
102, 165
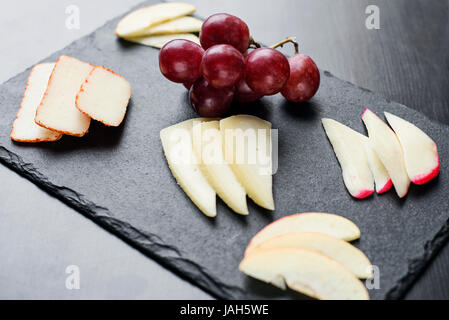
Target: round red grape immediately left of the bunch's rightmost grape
266, 71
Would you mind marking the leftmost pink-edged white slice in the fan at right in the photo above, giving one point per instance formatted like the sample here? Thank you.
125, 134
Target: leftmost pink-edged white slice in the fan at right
348, 148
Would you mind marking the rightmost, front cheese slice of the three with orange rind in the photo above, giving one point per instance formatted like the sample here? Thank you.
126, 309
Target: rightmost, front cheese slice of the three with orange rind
104, 96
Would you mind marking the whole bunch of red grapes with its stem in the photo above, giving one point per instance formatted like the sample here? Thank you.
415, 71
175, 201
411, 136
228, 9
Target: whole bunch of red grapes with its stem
221, 70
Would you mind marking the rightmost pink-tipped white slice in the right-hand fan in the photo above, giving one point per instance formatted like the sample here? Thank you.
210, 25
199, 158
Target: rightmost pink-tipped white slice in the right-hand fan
420, 151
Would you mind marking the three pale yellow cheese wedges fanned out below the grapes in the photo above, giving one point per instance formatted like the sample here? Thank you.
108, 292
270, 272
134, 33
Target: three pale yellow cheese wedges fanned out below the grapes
227, 157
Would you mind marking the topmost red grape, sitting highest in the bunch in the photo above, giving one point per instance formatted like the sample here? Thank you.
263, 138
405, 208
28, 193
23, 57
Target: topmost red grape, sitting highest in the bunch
223, 28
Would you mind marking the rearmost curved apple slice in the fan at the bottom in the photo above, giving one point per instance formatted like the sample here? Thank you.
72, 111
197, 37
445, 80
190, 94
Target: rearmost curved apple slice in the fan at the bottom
327, 223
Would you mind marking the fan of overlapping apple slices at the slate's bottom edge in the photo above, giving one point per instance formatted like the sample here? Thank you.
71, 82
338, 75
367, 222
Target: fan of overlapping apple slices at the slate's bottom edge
309, 253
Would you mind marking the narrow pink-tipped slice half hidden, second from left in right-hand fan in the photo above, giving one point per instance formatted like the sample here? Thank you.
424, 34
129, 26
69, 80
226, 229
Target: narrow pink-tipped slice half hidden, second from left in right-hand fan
380, 174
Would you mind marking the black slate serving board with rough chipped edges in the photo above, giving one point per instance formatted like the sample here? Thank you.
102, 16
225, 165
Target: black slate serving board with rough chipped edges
119, 178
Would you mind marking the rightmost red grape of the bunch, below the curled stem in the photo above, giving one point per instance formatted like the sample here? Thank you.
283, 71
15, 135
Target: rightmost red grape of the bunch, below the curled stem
304, 79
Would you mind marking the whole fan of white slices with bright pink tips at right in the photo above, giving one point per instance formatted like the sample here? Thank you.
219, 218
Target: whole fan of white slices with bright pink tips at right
388, 157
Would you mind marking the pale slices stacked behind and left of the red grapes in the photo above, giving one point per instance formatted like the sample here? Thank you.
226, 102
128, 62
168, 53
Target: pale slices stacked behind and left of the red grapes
160, 23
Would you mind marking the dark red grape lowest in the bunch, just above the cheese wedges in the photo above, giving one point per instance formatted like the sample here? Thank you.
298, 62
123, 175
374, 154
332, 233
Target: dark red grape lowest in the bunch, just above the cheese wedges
208, 101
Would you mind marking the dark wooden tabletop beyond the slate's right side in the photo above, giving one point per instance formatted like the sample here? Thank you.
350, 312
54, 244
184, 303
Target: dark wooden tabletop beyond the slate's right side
406, 60
